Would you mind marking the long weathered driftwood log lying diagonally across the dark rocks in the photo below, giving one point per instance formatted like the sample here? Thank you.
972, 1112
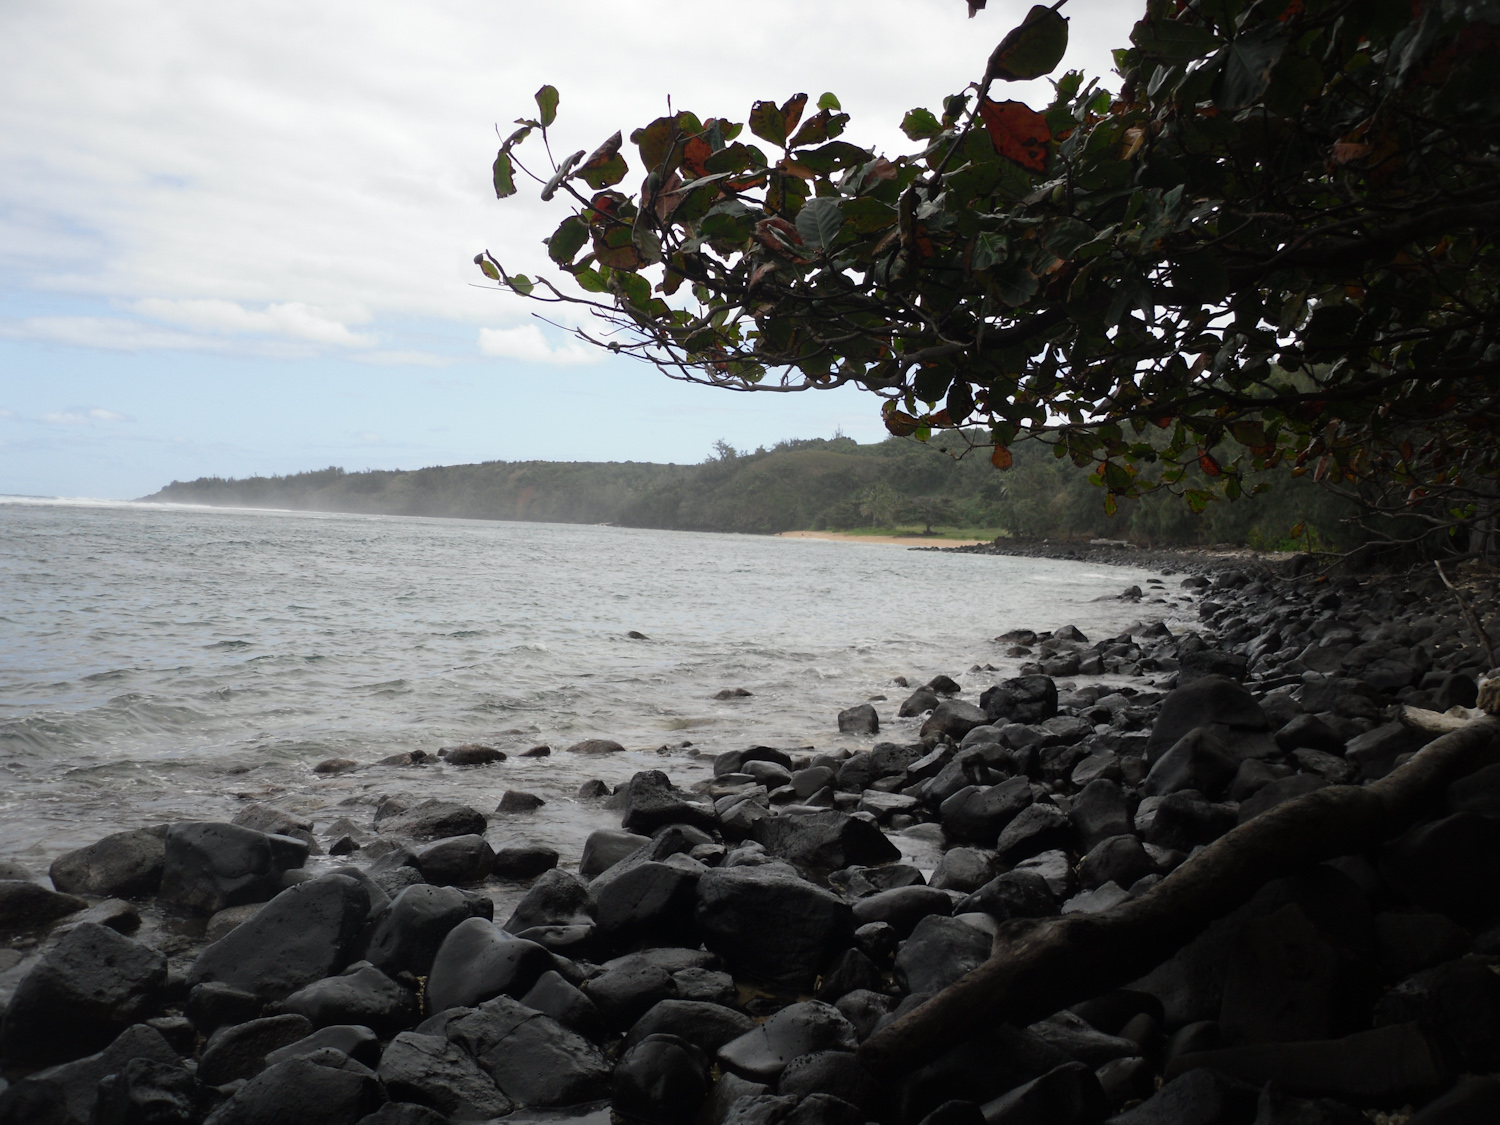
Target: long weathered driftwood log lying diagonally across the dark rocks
1042, 965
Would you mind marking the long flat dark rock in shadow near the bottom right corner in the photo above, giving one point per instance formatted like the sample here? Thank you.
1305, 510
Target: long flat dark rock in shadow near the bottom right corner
1384, 1064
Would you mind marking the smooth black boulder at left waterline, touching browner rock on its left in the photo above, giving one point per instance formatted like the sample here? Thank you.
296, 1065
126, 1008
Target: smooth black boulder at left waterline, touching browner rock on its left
209, 866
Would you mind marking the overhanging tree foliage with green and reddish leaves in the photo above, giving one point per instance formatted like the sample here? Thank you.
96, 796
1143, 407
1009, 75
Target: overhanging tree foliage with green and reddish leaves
1274, 247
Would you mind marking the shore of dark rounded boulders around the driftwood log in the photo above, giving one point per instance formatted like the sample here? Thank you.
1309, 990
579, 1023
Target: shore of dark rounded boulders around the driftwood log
724, 953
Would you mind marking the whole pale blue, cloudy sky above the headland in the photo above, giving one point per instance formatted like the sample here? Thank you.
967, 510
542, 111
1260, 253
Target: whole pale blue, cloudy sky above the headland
239, 239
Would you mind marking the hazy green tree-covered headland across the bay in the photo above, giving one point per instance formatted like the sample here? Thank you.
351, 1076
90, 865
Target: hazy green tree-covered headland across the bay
820, 484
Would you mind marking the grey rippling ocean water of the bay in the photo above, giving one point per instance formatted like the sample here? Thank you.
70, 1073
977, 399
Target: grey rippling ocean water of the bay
163, 664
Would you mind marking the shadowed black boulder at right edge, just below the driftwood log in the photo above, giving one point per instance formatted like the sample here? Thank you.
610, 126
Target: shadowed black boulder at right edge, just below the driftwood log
1451, 866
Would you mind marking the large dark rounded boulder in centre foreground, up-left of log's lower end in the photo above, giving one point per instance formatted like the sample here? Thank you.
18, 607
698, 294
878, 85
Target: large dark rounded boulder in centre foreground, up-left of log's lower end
772, 926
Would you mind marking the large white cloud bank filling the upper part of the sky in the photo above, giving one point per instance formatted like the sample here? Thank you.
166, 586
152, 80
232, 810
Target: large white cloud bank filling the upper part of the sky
319, 175
